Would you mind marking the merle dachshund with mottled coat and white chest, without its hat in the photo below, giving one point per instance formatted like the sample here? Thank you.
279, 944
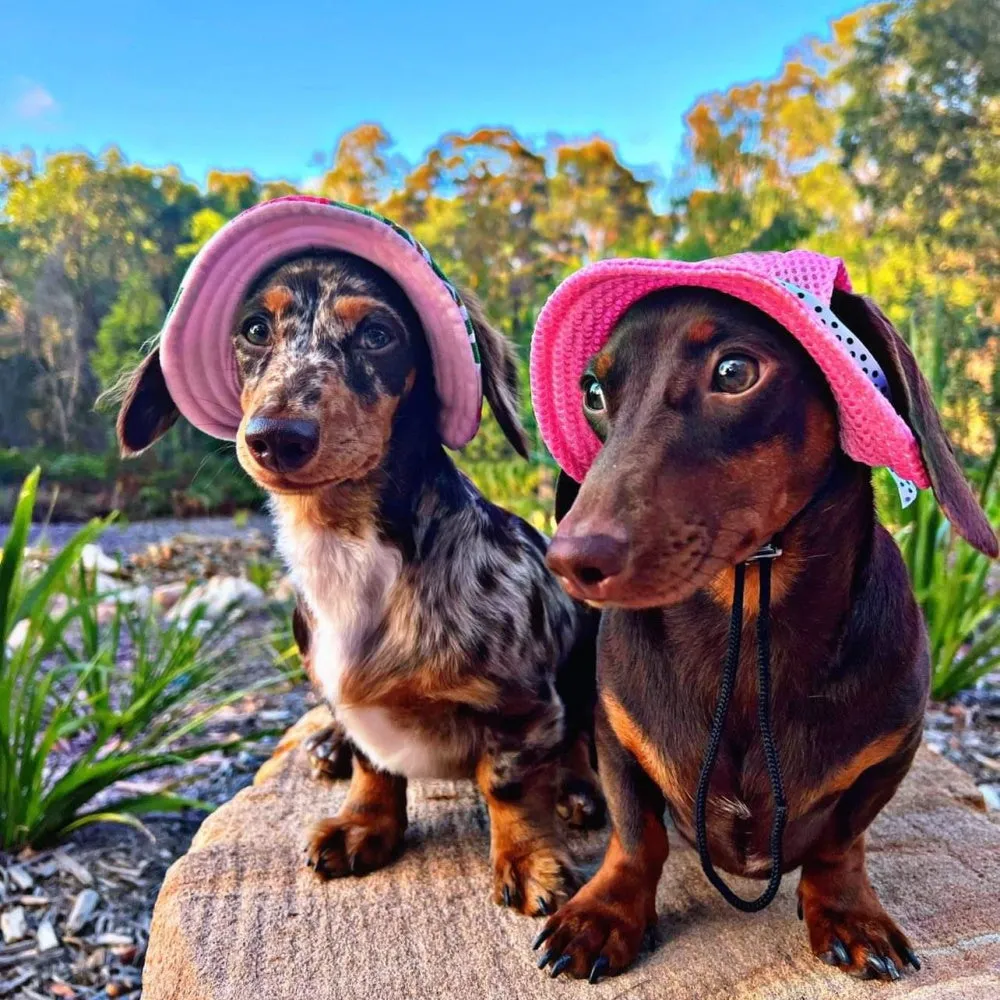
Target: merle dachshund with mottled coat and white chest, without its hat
427, 616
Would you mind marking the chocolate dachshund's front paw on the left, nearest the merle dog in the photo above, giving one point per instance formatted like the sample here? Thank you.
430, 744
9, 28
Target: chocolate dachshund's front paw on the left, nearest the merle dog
595, 934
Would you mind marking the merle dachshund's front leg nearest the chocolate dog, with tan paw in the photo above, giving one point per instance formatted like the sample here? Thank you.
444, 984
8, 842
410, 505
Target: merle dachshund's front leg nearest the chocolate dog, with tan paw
532, 871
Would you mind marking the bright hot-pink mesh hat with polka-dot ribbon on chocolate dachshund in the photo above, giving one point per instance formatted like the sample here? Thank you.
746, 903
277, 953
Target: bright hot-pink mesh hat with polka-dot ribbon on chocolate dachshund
794, 288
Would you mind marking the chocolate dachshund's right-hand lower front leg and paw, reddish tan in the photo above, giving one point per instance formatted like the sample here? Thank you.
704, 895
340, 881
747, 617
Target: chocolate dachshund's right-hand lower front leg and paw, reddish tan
847, 925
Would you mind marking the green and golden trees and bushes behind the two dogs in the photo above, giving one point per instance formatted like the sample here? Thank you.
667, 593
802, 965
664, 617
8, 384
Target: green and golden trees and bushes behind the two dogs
880, 144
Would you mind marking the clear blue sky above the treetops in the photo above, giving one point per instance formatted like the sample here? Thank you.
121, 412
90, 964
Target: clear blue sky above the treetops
267, 85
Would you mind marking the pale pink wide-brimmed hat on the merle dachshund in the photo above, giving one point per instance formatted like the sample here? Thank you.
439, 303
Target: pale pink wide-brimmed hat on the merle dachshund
196, 351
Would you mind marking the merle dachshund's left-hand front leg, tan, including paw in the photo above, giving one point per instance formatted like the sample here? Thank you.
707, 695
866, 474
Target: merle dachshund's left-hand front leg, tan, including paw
368, 831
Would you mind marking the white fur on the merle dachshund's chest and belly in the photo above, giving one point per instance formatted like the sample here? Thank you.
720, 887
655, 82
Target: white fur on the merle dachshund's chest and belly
347, 583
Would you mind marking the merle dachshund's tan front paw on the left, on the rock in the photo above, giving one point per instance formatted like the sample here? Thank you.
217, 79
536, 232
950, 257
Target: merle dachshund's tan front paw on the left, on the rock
354, 843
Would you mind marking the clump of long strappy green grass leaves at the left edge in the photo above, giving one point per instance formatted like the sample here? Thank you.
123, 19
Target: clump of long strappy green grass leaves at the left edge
73, 720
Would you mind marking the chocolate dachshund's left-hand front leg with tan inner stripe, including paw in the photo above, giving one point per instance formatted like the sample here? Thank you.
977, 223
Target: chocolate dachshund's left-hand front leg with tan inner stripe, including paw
601, 929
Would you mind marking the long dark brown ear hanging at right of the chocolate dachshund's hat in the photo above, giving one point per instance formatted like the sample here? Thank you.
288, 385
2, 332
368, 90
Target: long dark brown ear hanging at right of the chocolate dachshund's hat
911, 396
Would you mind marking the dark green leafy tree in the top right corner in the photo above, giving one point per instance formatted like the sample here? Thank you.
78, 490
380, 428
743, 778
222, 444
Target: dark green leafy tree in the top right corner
921, 132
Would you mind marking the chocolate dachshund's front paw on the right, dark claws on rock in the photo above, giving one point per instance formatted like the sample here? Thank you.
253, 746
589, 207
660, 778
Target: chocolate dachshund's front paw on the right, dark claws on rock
862, 940
